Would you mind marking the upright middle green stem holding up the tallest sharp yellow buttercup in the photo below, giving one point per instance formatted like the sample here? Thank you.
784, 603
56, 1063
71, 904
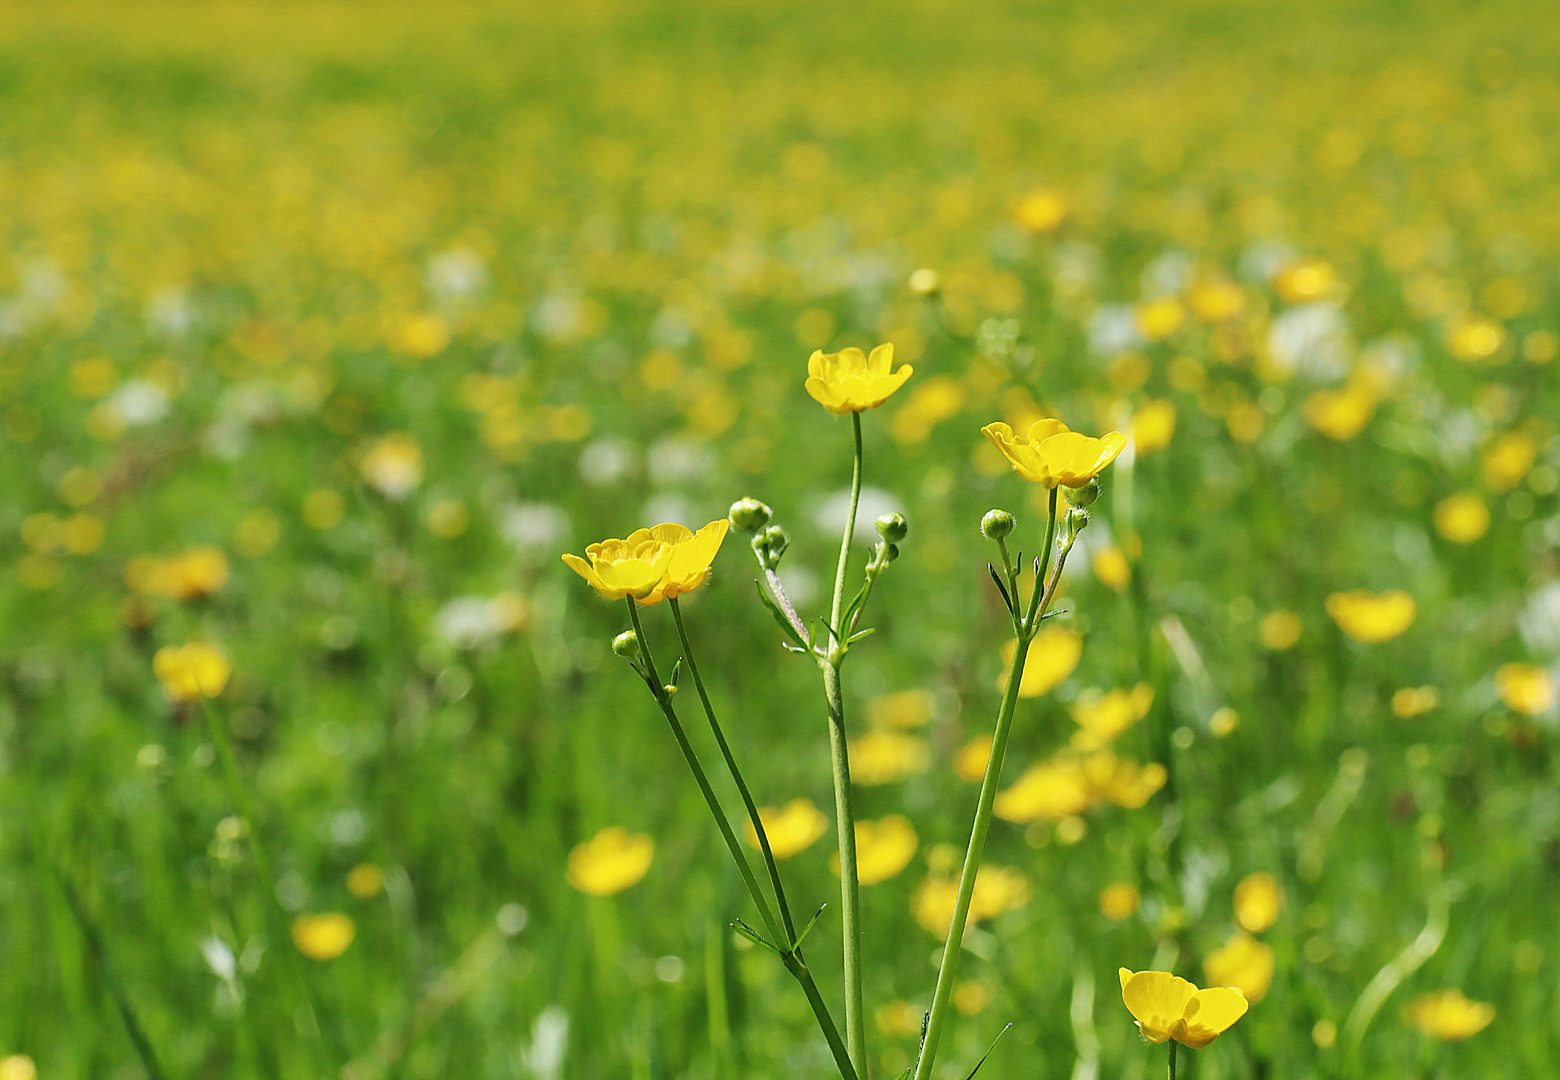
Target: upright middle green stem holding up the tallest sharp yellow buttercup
840, 762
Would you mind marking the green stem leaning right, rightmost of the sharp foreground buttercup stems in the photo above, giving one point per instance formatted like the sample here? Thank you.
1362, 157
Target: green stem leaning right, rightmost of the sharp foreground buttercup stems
948, 972
